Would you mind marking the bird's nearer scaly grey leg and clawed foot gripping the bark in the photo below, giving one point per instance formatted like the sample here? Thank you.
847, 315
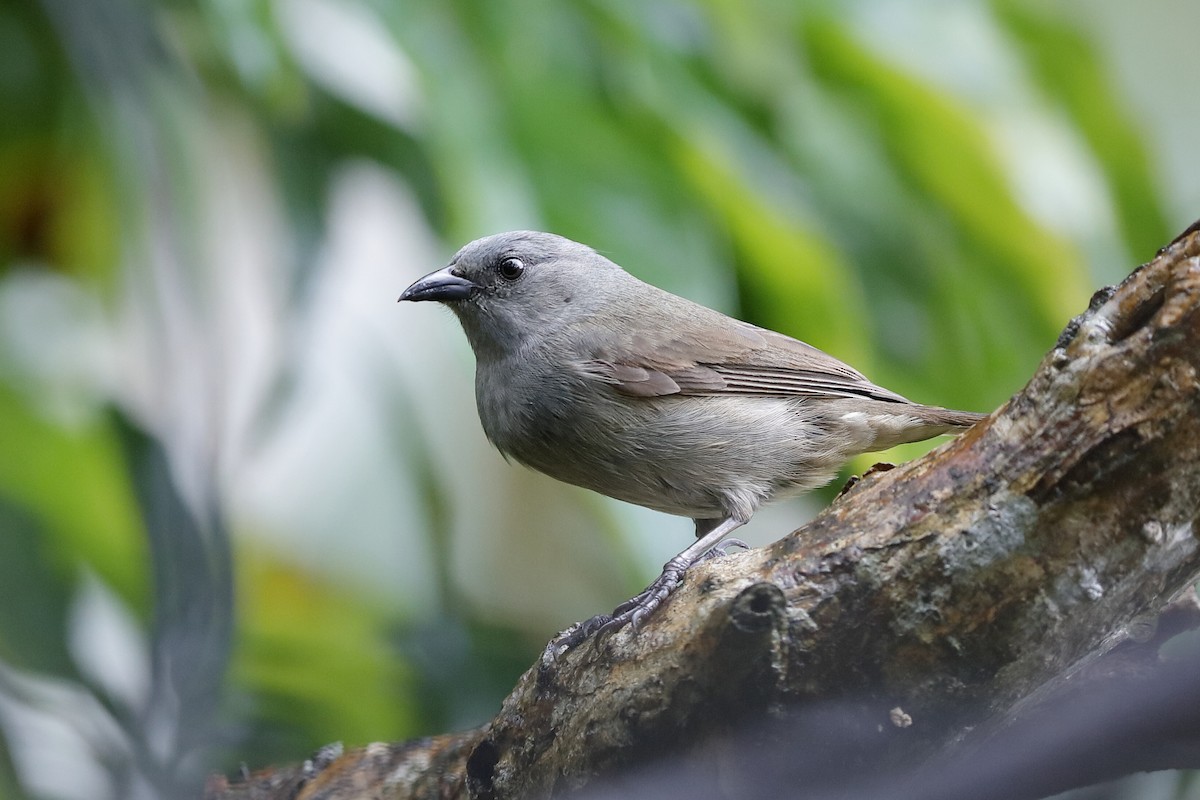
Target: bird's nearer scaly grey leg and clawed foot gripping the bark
710, 537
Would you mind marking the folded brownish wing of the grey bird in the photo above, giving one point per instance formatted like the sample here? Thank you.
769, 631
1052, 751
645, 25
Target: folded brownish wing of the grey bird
742, 360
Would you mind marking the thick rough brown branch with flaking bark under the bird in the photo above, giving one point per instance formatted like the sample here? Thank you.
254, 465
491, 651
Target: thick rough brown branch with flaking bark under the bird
944, 600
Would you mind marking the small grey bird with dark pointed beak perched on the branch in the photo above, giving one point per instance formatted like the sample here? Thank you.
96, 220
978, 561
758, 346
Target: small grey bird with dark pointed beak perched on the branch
596, 378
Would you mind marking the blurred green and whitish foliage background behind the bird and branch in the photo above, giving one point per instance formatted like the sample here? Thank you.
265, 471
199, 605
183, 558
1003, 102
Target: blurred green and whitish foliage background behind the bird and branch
245, 506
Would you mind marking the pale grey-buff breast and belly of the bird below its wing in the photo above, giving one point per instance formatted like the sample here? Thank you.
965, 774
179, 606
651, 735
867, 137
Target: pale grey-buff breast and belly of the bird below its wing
703, 458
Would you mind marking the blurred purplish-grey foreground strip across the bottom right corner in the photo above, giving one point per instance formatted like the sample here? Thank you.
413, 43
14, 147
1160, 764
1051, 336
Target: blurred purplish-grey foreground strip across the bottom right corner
1117, 727
